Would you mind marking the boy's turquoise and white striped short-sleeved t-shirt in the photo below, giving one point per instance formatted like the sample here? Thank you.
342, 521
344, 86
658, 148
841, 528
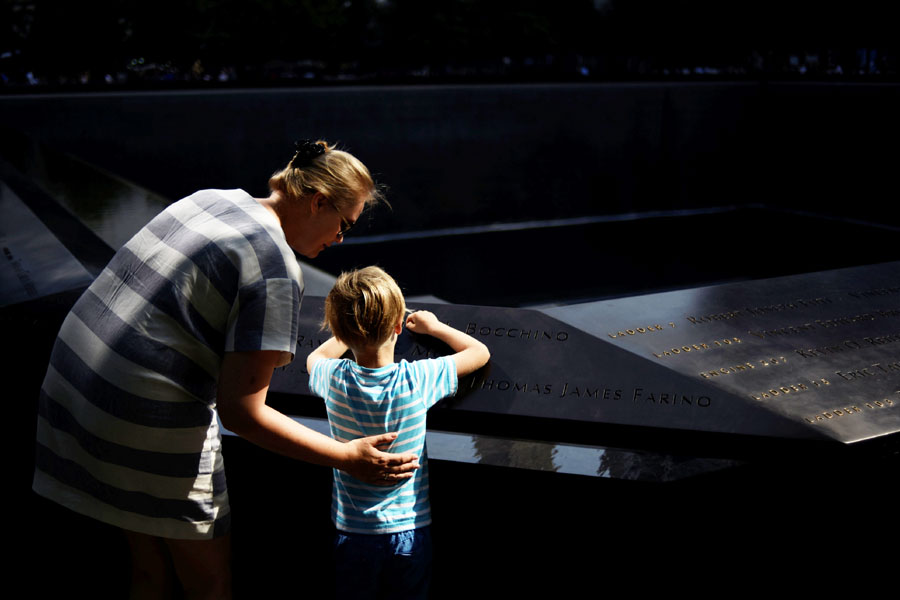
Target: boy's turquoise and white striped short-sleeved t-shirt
362, 402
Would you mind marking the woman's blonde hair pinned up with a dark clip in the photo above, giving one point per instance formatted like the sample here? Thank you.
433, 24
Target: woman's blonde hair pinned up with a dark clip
337, 175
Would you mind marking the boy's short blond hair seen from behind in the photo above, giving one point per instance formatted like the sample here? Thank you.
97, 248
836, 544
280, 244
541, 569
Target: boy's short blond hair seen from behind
364, 307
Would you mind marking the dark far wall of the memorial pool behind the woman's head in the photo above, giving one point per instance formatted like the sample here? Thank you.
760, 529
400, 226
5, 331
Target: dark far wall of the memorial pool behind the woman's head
462, 155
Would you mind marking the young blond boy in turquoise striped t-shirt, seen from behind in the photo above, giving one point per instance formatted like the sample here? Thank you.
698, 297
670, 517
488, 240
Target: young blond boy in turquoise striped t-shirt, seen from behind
383, 545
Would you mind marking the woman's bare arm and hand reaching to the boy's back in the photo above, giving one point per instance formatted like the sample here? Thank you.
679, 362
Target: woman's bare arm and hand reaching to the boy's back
243, 383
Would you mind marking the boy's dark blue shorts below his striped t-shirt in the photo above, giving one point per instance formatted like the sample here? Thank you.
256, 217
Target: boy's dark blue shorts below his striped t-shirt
390, 565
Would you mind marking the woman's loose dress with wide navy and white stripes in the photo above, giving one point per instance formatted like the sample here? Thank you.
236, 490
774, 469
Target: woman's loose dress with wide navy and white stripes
127, 428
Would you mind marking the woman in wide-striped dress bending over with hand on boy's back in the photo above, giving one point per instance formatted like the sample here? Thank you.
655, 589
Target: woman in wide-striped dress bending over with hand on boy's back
190, 317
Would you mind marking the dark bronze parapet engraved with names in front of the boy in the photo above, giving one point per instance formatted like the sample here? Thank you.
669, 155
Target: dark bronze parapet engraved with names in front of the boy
805, 358
